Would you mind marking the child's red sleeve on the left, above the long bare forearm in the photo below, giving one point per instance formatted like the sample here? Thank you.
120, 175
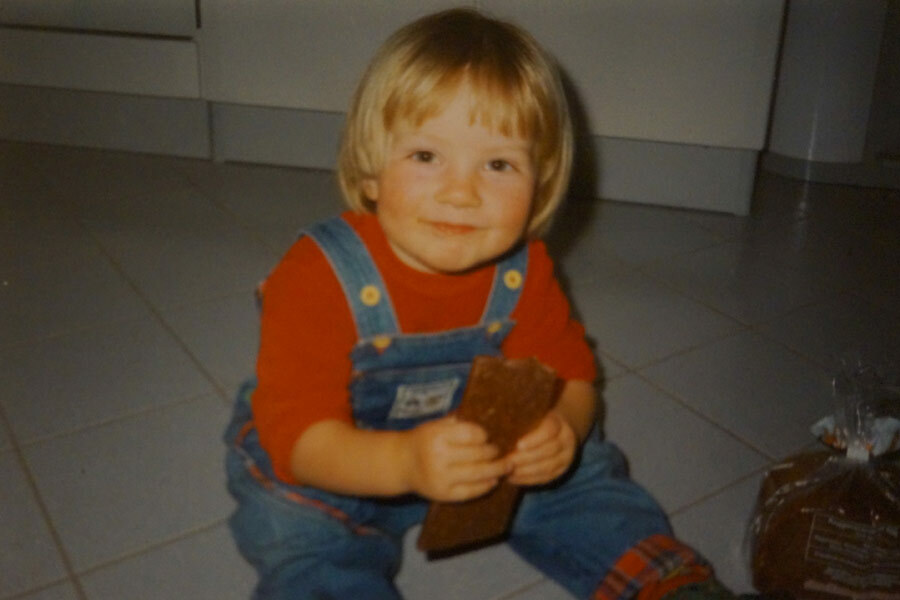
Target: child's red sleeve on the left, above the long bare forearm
303, 365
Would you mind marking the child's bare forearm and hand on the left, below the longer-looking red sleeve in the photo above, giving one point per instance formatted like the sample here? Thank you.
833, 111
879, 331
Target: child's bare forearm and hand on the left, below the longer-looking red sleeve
444, 459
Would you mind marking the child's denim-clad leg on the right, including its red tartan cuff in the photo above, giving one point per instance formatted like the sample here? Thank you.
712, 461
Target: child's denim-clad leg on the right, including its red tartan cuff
601, 535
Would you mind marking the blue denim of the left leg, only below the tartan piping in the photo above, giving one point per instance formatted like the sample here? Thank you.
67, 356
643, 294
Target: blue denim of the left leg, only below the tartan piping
300, 551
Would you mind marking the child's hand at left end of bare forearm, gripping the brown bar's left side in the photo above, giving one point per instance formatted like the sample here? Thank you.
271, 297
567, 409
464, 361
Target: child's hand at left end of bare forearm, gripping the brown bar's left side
450, 460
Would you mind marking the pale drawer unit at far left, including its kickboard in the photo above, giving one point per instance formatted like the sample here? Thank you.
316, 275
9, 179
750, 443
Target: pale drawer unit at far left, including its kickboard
120, 74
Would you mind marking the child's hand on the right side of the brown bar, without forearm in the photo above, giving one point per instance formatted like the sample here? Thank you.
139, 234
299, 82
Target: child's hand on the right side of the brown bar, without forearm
545, 453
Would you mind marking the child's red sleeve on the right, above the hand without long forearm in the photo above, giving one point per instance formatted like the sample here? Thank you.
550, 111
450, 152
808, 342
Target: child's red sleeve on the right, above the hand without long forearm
544, 325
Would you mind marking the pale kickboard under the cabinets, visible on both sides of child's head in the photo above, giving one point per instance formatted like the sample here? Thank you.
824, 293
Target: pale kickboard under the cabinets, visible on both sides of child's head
686, 176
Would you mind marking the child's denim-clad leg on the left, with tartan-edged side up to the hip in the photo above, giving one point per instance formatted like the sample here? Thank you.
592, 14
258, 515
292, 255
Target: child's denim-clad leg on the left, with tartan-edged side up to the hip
303, 547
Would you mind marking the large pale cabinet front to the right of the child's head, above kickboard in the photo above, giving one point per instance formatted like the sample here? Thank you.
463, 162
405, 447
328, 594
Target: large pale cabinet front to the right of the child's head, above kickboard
684, 71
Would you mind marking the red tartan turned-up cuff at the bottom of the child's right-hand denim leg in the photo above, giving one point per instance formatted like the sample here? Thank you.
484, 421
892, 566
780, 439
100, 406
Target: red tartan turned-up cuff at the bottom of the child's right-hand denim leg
652, 568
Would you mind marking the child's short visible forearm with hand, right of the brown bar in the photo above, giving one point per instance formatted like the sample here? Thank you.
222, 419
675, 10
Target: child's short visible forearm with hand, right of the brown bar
547, 452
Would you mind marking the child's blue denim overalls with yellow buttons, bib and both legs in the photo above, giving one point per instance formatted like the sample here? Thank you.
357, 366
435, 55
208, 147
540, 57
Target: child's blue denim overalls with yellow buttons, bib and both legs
307, 543
